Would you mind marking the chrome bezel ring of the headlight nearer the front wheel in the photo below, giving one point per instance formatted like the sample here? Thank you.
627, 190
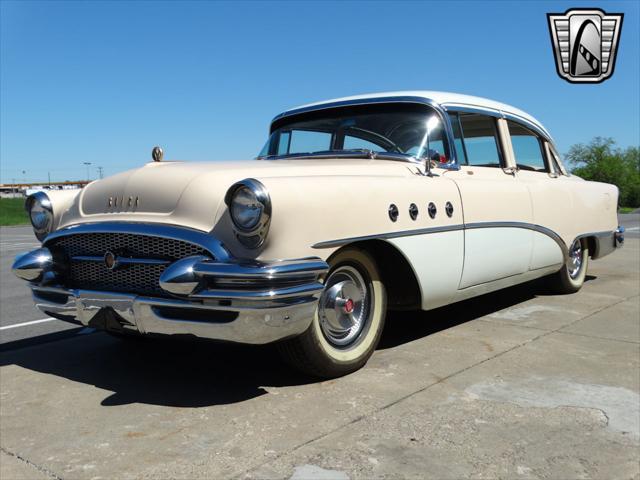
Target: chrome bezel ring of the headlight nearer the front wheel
254, 236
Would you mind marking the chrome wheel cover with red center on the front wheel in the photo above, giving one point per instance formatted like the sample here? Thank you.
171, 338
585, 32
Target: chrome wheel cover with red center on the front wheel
344, 309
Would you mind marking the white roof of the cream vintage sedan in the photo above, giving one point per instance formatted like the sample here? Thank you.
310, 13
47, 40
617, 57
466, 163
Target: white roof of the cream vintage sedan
445, 99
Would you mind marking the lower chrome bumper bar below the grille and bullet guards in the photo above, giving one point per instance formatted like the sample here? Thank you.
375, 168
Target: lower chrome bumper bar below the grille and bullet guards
113, 311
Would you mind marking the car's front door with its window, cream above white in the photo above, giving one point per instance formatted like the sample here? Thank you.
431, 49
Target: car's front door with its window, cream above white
495, 204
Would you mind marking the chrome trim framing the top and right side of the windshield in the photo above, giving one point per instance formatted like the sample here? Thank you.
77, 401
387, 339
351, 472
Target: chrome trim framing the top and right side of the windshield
453, 164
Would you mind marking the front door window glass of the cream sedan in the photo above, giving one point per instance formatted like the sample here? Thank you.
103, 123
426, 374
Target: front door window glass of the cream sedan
480, 140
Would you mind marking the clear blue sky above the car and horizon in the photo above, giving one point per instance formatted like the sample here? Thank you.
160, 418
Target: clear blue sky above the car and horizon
103, 82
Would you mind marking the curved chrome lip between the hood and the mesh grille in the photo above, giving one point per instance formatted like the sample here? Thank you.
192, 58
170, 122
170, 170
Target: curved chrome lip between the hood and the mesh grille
202, 239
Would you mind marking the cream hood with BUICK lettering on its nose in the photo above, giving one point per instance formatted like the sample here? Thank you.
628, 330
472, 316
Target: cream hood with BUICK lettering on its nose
192, 194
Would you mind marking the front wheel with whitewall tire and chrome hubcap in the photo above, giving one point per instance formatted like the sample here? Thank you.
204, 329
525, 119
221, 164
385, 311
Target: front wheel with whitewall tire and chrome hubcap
348, 322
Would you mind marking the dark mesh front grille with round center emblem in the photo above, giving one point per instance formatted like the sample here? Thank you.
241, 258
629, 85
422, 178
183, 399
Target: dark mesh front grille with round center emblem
136, 278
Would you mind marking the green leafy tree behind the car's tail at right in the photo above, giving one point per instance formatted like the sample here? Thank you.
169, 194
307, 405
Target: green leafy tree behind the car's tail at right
602, 161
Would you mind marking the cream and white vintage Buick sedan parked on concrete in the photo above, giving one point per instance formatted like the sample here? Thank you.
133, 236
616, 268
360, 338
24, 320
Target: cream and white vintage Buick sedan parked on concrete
410, 200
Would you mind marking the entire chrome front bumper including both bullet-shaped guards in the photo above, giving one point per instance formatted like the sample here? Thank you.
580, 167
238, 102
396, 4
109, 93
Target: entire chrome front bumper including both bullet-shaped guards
223, 298
